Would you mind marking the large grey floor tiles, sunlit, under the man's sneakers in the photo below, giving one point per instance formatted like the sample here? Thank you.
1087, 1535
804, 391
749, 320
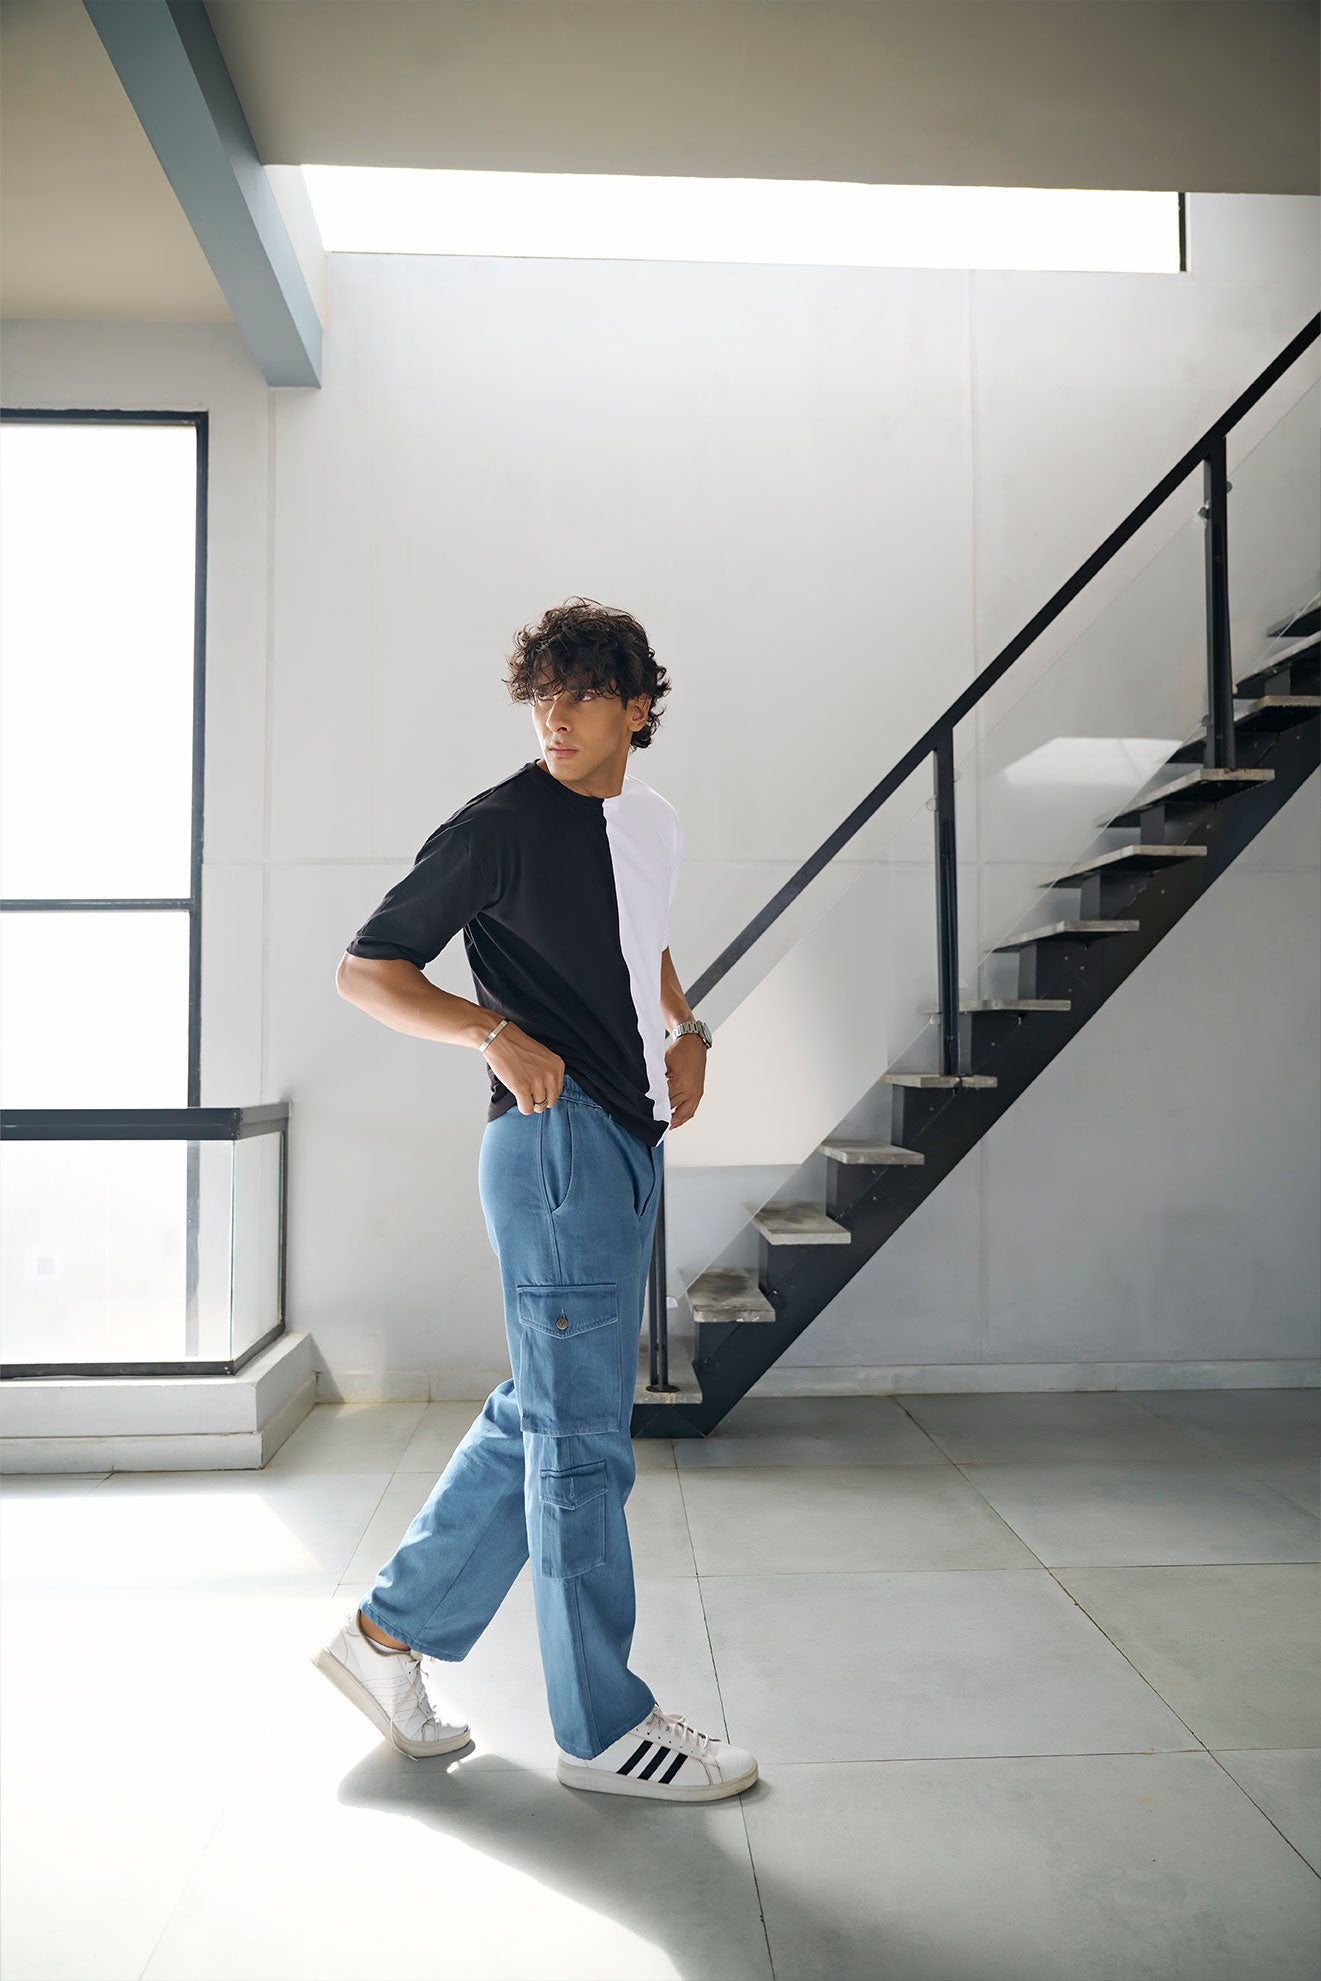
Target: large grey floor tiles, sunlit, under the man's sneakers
1033, 1681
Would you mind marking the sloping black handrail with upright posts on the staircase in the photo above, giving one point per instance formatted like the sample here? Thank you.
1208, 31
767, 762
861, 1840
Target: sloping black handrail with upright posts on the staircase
1209, 455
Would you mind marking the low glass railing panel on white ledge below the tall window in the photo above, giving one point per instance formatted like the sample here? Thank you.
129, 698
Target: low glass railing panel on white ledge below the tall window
146, 1251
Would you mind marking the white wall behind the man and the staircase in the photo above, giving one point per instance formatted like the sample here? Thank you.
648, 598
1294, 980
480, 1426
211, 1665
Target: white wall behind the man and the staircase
831, 496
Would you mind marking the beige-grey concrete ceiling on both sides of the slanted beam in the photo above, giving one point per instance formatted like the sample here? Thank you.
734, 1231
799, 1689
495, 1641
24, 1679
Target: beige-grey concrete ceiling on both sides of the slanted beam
1197, 96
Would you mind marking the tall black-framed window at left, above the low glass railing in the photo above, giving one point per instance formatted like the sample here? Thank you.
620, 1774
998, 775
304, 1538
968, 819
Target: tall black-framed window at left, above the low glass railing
102, 564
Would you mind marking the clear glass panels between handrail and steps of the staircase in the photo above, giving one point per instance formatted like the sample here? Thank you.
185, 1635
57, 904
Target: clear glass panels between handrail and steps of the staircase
1080, 726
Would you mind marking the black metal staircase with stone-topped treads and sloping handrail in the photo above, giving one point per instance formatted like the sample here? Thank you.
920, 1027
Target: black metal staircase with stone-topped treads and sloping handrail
1261, 740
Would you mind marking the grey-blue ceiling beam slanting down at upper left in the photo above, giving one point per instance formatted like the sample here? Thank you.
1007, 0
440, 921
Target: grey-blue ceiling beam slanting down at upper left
171, 66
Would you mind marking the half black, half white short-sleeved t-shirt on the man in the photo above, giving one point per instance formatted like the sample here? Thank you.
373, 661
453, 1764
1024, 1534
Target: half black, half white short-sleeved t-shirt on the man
565, 912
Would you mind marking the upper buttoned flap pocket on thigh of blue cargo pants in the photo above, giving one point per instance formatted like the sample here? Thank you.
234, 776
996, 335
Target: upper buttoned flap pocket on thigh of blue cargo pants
569, 1358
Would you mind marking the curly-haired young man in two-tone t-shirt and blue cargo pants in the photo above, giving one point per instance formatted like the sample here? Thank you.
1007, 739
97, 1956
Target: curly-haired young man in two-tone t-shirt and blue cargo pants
561, 879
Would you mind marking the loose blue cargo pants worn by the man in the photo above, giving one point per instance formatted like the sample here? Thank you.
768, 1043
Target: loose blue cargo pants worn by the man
569, 1201
